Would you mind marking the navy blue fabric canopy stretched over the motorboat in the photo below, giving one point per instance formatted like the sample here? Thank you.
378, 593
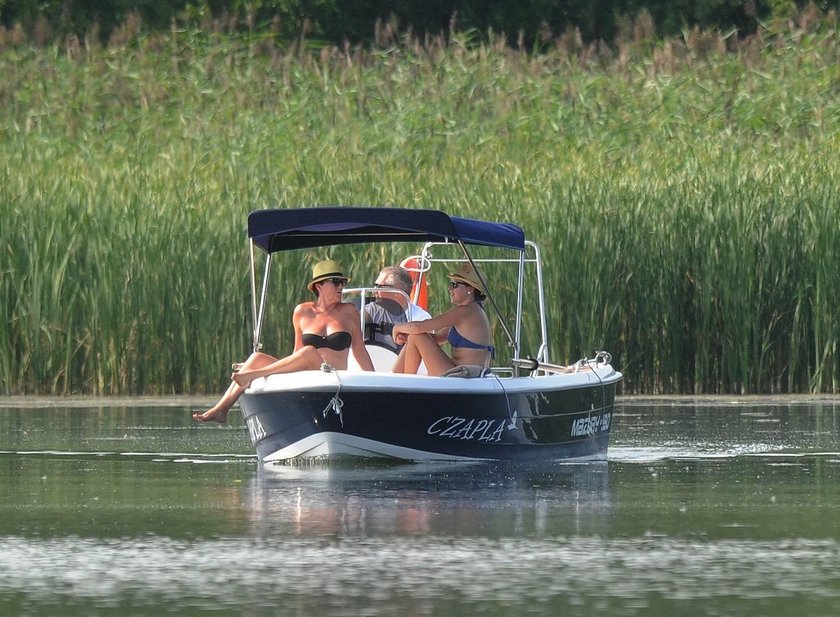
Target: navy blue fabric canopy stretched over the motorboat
297, 228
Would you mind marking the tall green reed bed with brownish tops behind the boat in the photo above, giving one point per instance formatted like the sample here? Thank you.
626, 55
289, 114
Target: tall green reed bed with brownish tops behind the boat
685, 194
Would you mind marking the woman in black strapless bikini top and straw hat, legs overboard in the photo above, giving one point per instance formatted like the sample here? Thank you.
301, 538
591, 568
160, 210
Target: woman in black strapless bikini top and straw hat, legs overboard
325, 332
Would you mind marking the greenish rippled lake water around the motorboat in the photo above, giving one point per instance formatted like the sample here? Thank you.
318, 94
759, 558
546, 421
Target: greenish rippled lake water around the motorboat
704, 507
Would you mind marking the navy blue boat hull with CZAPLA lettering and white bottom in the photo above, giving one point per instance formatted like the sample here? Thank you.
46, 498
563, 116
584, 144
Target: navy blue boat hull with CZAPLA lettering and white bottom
427, 425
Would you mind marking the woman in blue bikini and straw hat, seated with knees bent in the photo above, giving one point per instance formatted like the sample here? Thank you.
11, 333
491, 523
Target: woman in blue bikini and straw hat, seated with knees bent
465, 327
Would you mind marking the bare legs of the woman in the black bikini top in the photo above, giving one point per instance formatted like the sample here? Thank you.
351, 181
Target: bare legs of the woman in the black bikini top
258, 365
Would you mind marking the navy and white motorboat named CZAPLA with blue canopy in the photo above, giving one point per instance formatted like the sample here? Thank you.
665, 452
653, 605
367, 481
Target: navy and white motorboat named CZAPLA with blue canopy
525, 409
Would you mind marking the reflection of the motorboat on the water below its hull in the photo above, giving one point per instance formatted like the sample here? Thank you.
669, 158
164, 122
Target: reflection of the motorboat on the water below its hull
476, 499
